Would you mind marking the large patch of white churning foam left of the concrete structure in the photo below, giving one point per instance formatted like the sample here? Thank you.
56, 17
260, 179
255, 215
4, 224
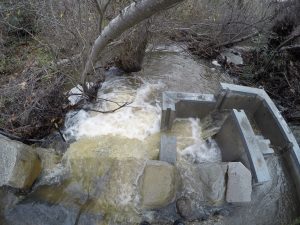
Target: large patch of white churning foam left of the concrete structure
137, 120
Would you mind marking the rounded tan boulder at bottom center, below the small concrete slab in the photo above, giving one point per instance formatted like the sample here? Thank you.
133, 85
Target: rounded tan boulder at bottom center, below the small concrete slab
158, 185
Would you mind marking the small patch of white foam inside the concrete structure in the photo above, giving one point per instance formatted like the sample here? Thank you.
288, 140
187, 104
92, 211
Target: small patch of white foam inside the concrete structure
201, 151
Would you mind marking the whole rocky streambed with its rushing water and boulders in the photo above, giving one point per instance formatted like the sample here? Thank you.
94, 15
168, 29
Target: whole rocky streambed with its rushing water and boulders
110, 174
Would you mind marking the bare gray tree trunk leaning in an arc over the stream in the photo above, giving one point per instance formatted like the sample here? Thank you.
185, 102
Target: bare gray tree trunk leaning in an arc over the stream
128, 17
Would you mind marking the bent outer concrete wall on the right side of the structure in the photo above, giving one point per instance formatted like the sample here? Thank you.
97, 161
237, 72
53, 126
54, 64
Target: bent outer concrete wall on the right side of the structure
269, 121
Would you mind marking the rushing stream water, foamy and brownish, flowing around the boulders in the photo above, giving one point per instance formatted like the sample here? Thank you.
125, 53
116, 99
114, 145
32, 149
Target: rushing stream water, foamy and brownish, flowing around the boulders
109, 151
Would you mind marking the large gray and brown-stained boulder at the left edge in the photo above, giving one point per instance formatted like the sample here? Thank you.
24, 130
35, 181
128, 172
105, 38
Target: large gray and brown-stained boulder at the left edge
19, 164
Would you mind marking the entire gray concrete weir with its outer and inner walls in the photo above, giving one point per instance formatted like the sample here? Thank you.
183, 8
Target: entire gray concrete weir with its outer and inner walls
254, 121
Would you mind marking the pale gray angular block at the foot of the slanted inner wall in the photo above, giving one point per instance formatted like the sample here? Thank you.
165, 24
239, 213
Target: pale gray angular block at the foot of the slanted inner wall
239, 187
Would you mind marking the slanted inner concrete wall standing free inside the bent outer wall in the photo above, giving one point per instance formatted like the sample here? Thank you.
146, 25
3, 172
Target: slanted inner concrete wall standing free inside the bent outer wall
239, 143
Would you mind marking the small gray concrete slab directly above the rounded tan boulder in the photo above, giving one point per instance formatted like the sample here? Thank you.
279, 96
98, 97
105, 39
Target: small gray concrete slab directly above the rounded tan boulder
168, 151
